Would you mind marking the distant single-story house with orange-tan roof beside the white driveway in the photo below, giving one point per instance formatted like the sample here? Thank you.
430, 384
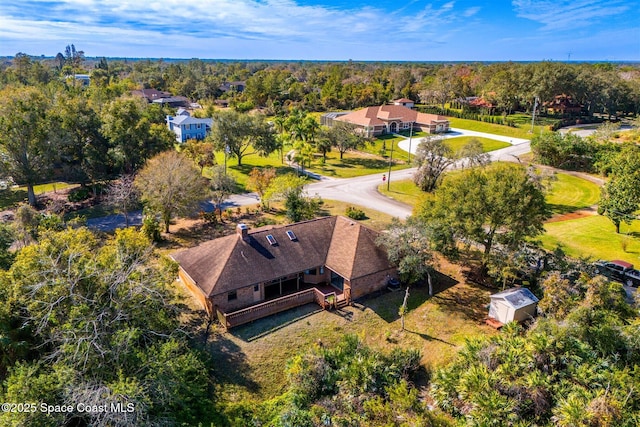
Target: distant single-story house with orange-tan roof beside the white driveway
374, 121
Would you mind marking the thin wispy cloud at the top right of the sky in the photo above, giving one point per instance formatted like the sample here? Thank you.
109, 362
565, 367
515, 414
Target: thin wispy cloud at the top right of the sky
567, 14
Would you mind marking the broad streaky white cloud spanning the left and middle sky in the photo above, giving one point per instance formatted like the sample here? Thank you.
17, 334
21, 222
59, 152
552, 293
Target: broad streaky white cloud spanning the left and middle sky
285, 21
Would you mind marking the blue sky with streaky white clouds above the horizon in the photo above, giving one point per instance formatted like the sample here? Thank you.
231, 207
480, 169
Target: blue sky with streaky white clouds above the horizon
410, 30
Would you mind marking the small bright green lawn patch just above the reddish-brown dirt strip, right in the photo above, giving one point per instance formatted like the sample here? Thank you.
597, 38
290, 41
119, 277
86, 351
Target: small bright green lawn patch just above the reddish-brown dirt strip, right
569, 193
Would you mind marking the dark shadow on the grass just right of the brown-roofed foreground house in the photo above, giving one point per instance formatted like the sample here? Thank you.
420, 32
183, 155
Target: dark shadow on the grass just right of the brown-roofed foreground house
386, 304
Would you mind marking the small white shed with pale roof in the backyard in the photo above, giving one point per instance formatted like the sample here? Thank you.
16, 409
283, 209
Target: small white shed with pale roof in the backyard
517, 304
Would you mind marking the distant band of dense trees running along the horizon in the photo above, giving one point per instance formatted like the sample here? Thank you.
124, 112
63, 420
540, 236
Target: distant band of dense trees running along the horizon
605, 88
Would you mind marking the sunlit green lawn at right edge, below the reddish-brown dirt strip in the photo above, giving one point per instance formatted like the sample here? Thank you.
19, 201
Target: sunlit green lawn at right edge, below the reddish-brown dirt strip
594, 237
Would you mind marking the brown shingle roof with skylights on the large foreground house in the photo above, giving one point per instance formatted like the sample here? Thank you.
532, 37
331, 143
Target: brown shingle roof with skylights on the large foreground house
230, 263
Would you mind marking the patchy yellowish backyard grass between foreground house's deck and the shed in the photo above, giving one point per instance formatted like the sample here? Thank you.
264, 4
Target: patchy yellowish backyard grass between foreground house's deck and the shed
250, 359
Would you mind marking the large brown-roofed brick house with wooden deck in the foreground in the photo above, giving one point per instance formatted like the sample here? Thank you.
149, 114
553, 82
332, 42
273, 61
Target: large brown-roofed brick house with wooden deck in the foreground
255, 273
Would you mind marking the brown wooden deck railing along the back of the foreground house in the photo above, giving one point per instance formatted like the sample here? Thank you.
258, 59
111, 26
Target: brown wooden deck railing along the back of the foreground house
258, 311
